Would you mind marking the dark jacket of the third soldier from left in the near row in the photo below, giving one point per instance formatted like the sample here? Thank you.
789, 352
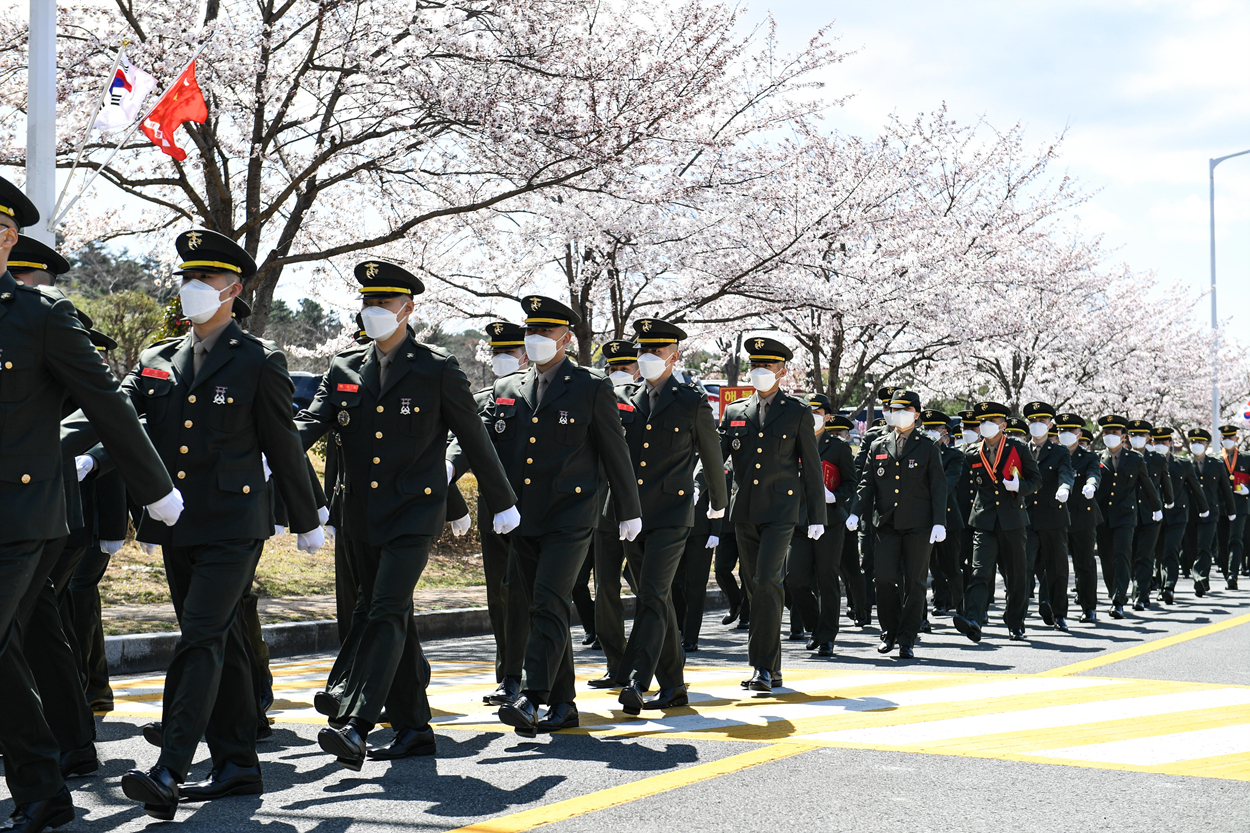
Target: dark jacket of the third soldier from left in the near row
394, 437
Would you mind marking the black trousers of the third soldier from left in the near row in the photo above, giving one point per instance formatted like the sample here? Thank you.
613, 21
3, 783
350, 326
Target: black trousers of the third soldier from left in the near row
383, 664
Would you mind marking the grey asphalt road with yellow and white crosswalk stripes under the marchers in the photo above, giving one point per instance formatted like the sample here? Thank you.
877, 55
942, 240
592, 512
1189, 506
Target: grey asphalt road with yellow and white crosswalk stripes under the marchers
1124, 726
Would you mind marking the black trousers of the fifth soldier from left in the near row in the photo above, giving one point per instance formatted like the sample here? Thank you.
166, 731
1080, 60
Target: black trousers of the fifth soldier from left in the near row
654, 649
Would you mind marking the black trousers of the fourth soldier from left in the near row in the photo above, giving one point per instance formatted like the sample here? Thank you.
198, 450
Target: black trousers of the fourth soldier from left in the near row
549, 566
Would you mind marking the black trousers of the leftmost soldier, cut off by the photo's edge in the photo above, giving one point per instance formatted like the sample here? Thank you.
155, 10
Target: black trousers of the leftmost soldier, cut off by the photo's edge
32, 755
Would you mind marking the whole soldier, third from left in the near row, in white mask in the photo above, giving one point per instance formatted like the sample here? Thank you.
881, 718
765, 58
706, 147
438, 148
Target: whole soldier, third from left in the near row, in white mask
391, 406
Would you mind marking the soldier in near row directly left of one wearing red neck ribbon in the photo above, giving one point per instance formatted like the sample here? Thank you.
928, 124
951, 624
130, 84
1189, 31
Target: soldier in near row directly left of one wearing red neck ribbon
903, 488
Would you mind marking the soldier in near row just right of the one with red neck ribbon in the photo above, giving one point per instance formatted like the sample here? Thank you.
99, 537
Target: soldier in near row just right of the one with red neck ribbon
1048, 516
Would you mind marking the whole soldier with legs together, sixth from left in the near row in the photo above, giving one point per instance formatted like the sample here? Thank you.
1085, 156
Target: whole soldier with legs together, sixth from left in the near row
777, 467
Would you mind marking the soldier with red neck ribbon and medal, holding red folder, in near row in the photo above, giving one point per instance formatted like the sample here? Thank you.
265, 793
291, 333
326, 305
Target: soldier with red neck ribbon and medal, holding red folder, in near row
1006, 475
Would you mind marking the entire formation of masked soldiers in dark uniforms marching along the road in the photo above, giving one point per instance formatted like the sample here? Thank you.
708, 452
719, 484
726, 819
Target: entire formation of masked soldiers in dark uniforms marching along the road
623, 472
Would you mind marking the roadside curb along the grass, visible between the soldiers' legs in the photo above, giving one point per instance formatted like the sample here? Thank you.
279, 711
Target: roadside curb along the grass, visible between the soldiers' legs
139, 654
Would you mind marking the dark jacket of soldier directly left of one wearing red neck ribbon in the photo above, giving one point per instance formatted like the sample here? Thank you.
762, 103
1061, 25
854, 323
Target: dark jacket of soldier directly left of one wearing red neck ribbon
907, 491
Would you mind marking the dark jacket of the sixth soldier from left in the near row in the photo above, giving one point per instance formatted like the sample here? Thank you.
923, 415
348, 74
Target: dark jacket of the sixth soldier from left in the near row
777, 465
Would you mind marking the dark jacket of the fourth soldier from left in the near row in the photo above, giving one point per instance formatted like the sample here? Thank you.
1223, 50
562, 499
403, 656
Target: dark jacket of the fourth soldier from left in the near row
553, 452
